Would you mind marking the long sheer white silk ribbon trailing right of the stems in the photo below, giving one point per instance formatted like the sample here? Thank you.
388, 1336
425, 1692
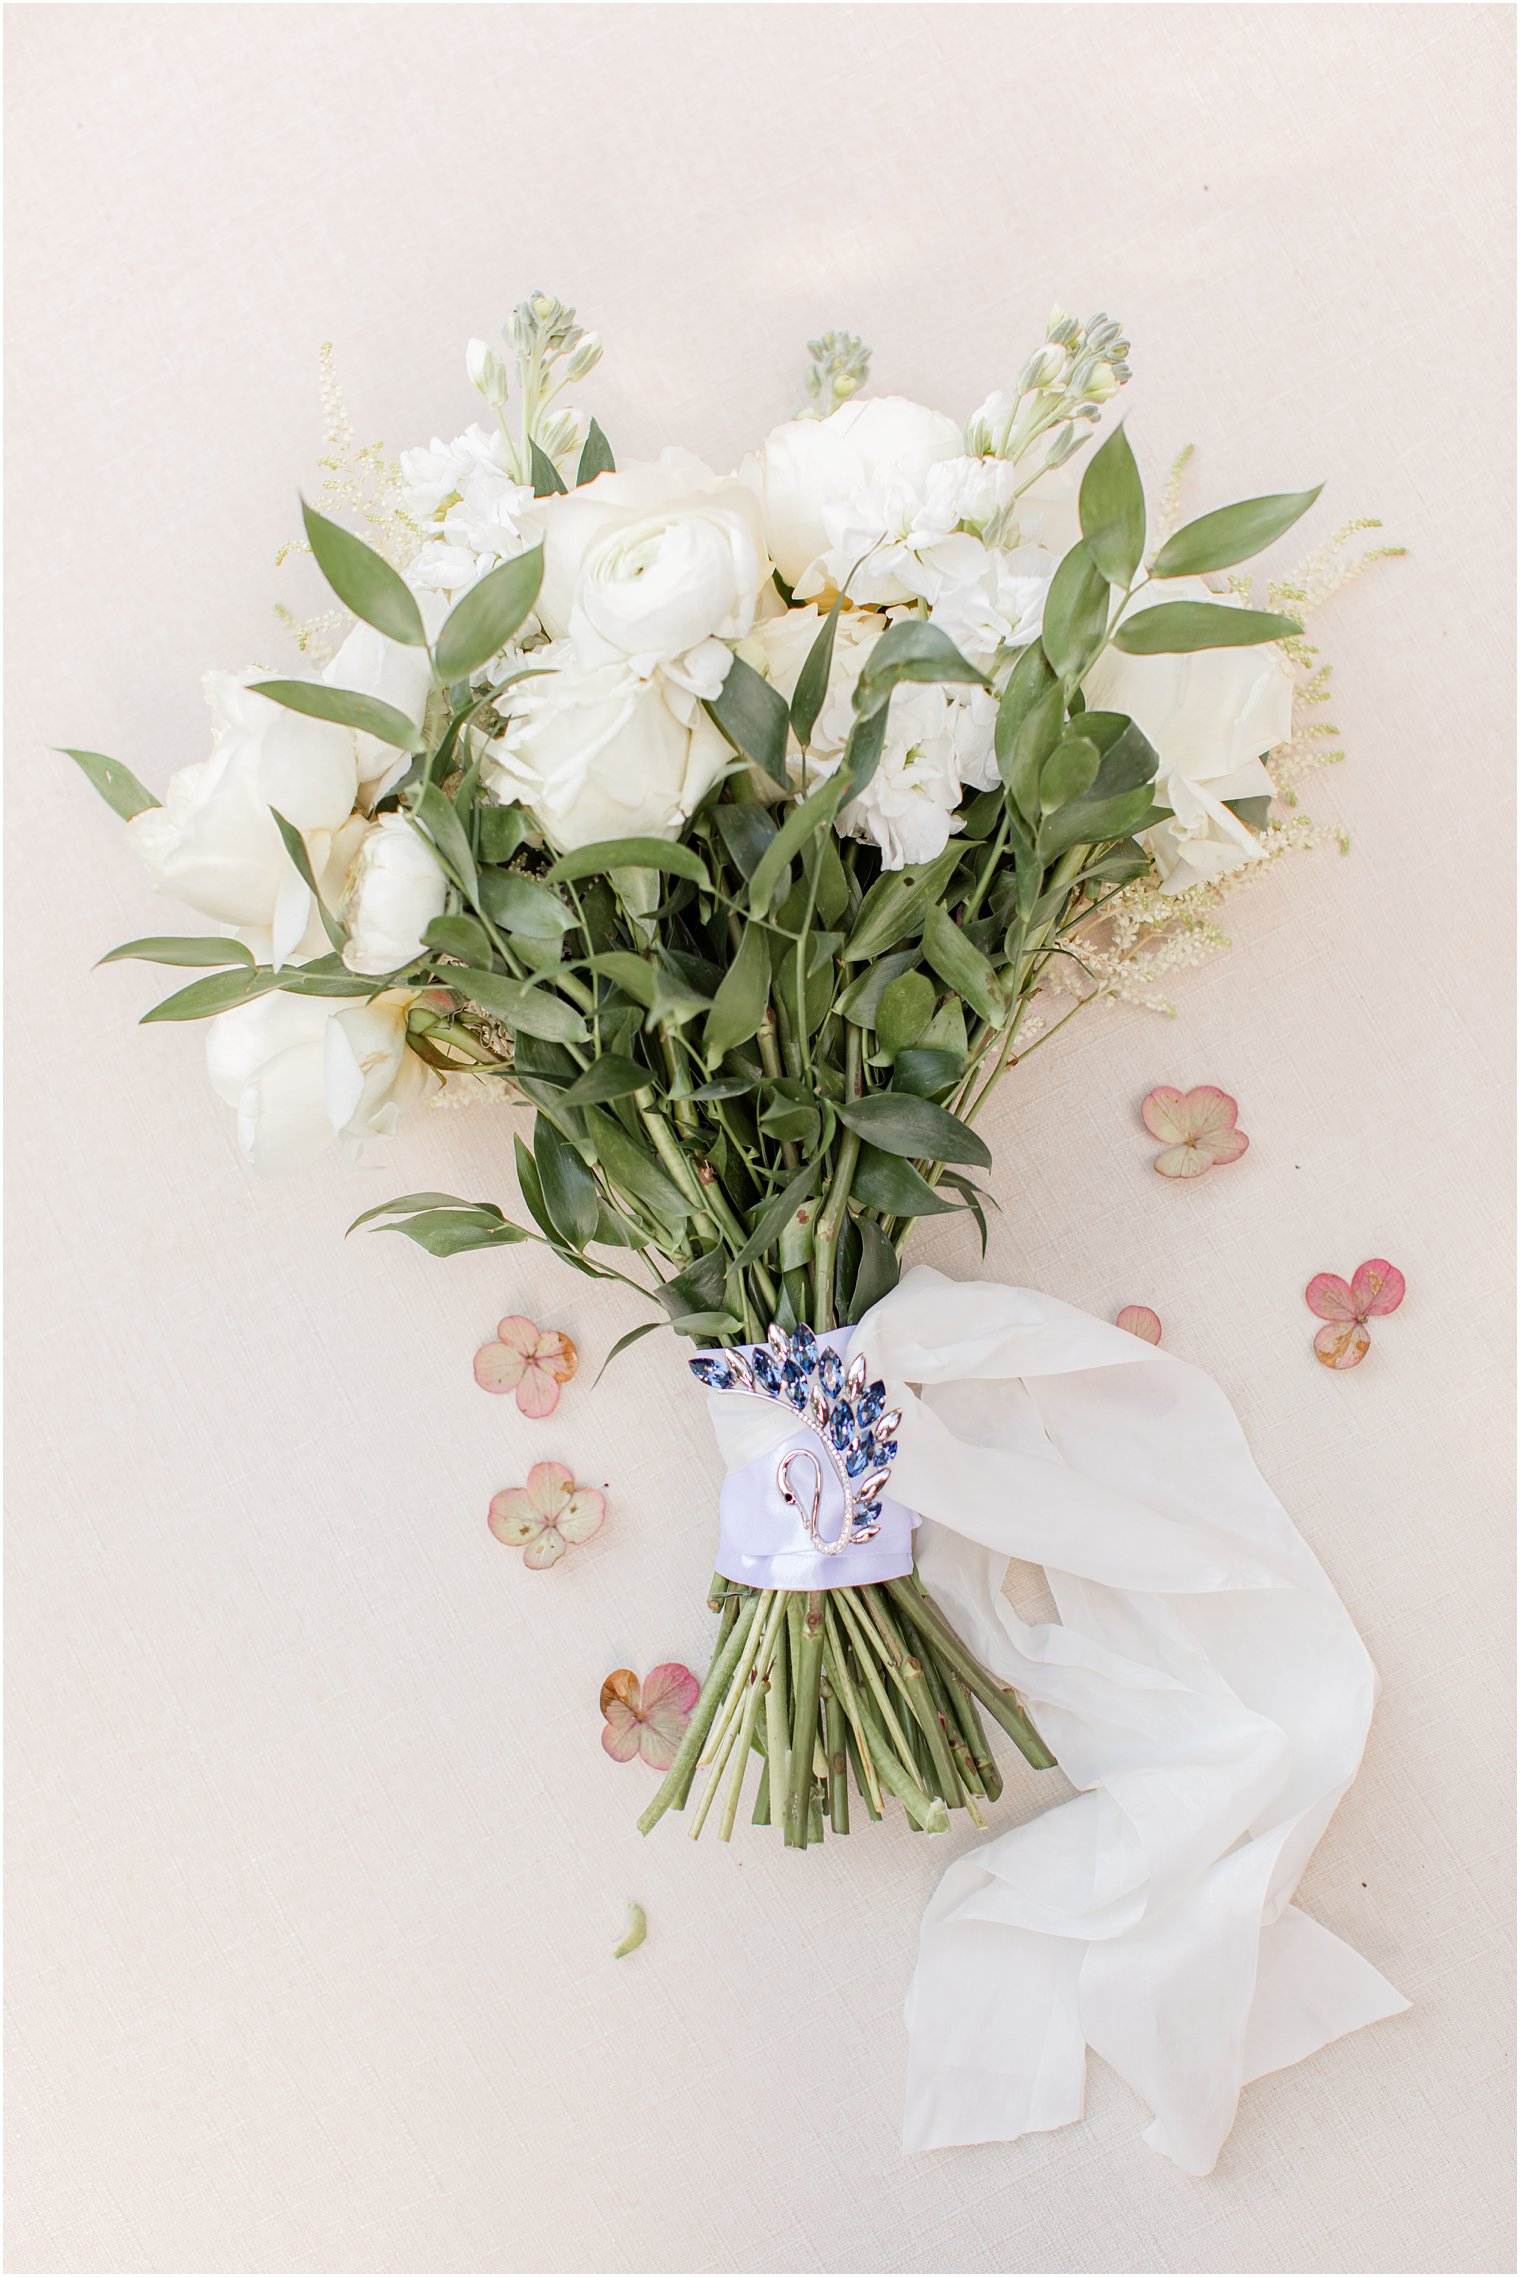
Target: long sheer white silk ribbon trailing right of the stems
1205, 1691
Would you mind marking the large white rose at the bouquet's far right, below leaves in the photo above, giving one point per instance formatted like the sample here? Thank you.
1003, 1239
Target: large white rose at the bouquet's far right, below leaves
1212, 718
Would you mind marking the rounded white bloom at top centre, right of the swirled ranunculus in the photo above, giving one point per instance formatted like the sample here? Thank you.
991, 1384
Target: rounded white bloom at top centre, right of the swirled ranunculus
809, 468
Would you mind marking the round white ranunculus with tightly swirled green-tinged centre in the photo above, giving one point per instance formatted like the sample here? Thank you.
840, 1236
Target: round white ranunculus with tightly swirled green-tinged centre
654, 568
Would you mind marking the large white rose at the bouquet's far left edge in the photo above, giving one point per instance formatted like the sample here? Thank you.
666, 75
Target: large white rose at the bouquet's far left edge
215, 841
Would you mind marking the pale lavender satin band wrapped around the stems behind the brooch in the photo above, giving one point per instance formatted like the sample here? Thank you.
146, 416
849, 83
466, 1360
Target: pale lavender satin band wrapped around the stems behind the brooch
761, 1538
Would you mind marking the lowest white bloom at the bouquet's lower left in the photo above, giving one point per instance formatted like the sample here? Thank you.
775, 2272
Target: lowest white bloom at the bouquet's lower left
301, 1074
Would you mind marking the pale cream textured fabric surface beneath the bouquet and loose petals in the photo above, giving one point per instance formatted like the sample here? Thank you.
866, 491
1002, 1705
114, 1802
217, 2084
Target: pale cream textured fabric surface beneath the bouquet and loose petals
315, 1859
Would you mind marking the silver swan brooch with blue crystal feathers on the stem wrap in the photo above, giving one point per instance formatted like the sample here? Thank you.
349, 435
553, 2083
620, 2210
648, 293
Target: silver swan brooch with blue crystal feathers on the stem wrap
850, 1420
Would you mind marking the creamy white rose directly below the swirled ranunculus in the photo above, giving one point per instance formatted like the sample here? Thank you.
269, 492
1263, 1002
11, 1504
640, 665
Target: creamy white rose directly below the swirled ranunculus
602, 755
